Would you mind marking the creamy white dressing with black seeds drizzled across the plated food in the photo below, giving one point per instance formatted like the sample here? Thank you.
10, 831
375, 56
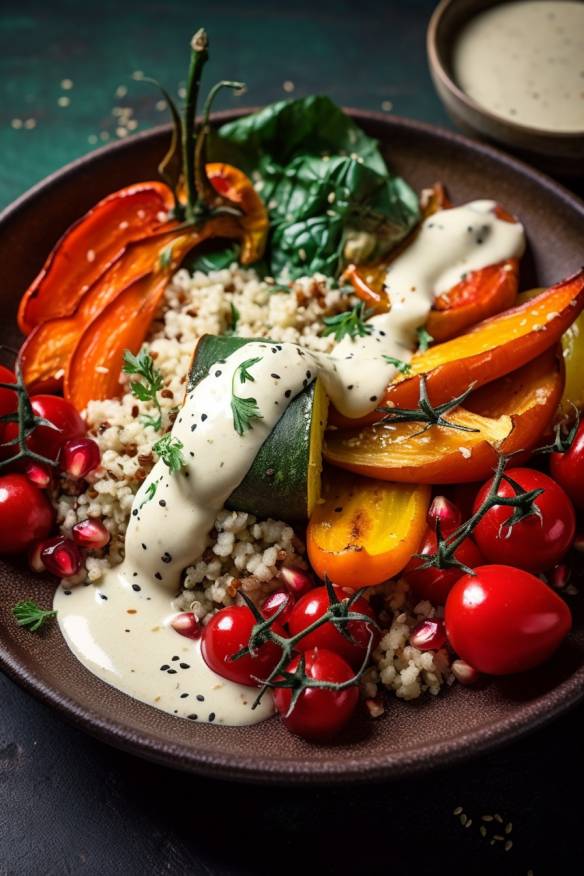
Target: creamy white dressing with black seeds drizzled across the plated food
119, 629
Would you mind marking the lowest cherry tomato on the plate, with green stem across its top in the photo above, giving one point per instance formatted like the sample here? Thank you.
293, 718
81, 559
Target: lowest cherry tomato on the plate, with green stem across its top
319, 713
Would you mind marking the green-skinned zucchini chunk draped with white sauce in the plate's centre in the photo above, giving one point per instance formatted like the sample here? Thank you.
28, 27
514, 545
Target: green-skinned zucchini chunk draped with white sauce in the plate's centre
284, 479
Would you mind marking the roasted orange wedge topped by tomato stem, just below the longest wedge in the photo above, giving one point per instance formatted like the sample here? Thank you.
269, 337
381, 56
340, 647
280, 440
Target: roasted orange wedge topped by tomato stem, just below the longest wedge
511, 414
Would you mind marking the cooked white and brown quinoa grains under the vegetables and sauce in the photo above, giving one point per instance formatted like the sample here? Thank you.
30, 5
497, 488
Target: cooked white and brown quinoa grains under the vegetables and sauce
242, 552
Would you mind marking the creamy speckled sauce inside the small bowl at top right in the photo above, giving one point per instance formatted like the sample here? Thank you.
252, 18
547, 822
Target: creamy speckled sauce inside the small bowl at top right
524, 61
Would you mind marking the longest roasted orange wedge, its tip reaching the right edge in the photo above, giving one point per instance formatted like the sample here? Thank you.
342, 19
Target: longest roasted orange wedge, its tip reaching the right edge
490, 350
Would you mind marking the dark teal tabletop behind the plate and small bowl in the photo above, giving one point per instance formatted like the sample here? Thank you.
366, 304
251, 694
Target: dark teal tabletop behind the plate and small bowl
359, 53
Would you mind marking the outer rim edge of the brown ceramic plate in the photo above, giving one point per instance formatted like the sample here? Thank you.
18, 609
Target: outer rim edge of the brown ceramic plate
240, 767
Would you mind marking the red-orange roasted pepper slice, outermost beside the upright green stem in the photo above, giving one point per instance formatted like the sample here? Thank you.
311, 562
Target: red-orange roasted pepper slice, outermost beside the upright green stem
90, 247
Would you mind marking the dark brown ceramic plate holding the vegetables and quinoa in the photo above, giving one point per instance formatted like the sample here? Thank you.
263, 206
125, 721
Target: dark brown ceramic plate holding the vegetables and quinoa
411, 736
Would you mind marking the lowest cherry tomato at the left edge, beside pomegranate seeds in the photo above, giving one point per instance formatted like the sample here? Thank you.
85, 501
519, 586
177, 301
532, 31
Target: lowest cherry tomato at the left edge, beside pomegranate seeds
25, 514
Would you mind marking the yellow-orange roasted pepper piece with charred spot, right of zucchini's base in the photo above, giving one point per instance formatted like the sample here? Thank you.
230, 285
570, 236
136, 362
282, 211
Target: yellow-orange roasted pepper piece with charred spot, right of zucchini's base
365, 531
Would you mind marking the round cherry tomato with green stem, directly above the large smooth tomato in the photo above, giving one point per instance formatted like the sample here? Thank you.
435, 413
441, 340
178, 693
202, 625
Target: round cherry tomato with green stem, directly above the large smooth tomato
533, 544
